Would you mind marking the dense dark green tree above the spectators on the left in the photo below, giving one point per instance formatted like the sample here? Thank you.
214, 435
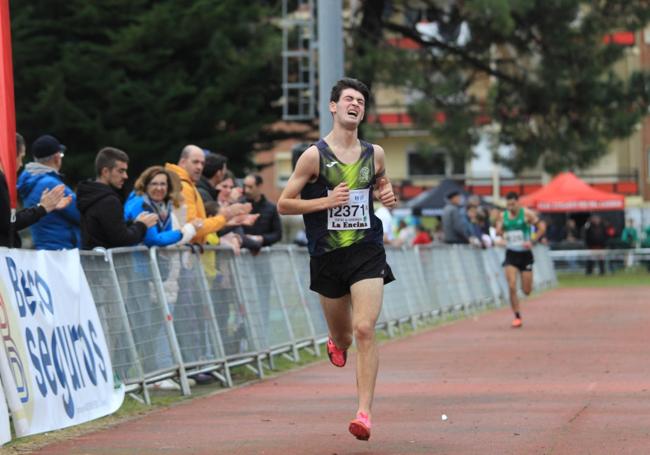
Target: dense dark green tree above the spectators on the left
146, 76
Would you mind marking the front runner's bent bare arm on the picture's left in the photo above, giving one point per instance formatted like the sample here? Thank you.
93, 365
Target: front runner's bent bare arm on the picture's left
306, 168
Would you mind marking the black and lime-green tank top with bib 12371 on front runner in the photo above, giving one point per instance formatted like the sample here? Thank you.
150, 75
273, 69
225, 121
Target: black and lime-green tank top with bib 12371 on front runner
351, 223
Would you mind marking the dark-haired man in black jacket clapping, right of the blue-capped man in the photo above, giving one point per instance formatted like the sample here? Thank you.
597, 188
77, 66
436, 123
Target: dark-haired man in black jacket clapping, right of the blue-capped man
101, 207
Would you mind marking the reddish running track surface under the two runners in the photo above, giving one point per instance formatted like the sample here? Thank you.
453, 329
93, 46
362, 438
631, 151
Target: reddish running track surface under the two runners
574, 380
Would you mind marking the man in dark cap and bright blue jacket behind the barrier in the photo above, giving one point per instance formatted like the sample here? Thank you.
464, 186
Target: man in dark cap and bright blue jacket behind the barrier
58, 229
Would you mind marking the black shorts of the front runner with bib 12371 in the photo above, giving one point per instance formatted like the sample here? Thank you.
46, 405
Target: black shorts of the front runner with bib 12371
333, 273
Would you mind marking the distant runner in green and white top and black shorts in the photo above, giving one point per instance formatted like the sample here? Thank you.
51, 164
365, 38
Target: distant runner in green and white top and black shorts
514, 226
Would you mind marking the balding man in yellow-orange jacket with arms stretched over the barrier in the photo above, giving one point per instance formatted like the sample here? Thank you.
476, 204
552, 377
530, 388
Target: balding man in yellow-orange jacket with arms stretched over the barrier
189, 168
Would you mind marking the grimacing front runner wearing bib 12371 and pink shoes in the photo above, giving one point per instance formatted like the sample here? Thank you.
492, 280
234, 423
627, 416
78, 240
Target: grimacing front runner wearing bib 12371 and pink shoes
333, 186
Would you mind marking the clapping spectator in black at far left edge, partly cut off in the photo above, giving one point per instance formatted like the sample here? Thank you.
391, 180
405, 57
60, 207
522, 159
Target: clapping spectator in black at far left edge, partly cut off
50, 199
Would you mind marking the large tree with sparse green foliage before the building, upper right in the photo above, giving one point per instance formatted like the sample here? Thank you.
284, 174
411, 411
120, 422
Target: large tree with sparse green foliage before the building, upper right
551, 87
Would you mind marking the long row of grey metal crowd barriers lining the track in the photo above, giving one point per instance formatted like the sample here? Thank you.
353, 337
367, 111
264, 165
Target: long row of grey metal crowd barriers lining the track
171, 313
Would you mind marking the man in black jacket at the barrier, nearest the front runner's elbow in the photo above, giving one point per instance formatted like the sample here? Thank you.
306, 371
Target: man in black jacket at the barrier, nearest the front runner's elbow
267, 230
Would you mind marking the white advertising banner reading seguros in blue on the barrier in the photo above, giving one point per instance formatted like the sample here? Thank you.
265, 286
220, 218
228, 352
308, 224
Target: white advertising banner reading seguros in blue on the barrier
54, 360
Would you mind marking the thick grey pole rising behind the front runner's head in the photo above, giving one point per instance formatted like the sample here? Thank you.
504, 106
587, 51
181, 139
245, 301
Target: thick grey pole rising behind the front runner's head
330, 56
